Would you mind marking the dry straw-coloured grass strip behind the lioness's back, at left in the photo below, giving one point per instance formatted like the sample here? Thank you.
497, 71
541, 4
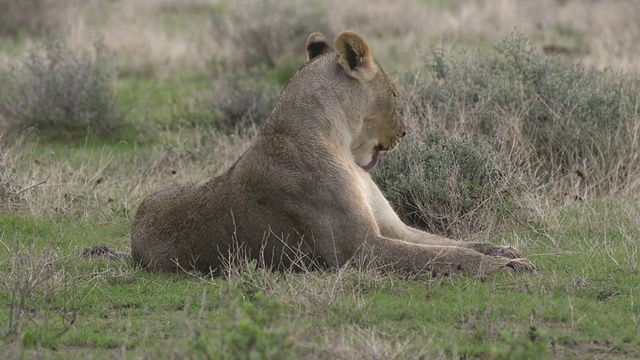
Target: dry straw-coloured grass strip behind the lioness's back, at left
103, 182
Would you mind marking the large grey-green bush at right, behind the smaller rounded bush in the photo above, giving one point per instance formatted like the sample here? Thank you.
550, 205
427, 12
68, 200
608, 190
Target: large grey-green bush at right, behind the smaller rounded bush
567, 119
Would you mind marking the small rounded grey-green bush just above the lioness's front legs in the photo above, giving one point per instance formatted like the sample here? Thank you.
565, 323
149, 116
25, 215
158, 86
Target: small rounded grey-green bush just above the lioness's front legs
452, 187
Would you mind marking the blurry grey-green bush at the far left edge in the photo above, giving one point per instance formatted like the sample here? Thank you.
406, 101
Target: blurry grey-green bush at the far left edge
64, 93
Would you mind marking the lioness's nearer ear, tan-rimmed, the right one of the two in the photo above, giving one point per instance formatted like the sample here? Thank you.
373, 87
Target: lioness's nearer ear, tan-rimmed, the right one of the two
355, 57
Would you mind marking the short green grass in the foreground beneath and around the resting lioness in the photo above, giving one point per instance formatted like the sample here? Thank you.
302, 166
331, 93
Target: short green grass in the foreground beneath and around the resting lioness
584, 302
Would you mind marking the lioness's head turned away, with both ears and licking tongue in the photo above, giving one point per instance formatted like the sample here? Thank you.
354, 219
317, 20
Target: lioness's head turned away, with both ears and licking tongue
381, 128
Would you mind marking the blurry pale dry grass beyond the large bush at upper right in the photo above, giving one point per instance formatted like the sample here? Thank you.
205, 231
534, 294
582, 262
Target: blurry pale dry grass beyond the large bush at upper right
599, 34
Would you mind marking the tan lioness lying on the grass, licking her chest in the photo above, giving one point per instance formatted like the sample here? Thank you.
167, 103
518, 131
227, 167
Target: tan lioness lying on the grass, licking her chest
301, 195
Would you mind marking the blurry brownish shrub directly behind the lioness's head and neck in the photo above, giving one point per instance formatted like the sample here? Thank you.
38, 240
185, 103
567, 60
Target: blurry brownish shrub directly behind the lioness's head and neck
261, 46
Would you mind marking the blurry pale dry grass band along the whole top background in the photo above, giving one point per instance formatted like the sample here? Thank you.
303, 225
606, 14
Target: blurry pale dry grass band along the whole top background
152, 37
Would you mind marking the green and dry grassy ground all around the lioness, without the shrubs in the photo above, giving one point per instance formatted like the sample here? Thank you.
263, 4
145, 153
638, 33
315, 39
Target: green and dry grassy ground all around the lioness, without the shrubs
583, 303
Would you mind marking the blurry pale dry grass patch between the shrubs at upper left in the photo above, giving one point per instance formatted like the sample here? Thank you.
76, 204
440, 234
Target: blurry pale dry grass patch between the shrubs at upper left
149, 38
